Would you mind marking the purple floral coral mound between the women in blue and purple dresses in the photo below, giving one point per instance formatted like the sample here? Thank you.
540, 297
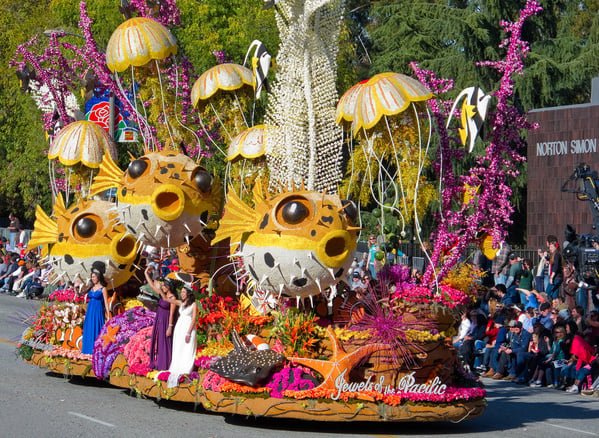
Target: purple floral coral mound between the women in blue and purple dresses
115, 335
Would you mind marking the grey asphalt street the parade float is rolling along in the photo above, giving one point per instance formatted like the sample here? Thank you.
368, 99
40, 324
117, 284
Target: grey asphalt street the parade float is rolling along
34, 402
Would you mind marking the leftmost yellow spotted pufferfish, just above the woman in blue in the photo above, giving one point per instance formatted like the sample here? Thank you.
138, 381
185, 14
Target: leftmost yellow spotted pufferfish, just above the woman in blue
83, 237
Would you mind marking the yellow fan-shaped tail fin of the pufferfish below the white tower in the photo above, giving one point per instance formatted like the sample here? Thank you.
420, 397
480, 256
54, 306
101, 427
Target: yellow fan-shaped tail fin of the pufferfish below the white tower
238, 219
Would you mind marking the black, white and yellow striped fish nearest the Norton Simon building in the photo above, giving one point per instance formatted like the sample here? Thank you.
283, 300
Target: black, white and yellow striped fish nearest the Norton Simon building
473, 114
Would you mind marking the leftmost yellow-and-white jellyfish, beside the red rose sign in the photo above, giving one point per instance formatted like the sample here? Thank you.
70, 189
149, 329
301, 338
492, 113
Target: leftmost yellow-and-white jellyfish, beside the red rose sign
80, 146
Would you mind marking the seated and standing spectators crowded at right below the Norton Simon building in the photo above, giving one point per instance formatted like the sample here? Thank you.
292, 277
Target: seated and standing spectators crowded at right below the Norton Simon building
537, 325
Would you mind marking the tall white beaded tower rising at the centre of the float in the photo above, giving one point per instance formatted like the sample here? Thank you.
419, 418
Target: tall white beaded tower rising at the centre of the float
307, 148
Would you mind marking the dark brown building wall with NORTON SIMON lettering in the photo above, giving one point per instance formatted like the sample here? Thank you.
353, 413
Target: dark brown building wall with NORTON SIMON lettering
567, 136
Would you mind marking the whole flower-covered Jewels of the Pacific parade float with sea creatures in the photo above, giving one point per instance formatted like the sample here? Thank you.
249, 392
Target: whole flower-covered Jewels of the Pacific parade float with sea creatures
270, 249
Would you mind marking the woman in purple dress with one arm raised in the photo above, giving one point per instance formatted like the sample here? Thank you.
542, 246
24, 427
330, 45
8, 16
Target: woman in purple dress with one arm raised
161, 344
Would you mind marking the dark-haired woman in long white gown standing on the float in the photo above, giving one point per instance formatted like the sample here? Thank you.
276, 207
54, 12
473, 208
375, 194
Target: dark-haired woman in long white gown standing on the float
184, 337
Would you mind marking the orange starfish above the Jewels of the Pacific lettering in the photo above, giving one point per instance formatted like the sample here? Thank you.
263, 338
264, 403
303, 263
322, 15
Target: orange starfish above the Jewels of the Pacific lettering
340, 361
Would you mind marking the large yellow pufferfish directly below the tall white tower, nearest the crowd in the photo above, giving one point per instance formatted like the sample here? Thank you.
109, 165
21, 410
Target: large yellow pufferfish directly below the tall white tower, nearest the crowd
294, 244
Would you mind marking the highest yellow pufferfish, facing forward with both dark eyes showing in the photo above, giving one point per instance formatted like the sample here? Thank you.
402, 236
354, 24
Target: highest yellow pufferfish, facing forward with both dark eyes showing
164, 198
